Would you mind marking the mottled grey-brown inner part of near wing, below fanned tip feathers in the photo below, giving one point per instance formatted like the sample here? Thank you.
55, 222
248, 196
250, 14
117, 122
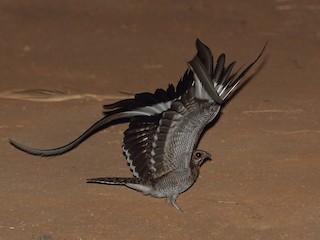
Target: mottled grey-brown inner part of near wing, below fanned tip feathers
155, 146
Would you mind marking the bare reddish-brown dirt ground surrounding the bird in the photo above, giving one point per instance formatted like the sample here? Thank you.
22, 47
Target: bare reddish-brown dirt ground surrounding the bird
264, 182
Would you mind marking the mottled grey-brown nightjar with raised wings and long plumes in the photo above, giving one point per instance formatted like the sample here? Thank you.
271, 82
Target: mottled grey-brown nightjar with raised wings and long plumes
160, 143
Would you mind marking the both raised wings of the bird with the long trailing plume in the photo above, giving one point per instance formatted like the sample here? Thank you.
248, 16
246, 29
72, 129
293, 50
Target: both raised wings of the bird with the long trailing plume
164, 113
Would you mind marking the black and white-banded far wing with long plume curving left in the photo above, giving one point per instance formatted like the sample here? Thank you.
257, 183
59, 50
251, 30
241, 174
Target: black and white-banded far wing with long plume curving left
144, 104
